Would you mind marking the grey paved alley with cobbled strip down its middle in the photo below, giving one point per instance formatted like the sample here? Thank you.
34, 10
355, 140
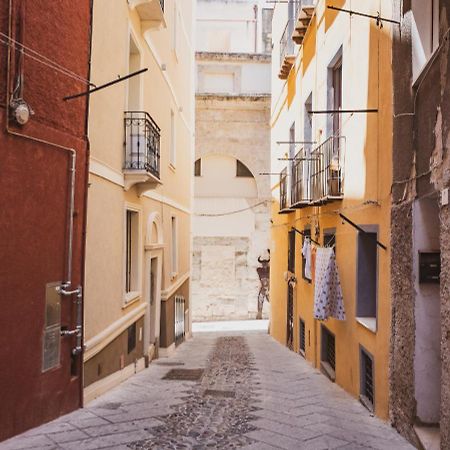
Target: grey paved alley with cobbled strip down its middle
250, 393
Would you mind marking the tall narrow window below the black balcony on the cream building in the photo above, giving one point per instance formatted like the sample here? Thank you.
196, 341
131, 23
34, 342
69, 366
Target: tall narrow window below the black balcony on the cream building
132, 251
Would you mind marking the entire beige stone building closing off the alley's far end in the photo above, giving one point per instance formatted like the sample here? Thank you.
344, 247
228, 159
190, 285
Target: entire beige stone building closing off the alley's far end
231, 196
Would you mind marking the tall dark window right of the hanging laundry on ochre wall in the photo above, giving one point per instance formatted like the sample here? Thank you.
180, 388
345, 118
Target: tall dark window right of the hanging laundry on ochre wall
367, 274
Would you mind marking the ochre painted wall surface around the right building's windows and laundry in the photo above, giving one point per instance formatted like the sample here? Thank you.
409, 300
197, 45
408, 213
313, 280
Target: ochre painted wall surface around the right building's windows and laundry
367, 83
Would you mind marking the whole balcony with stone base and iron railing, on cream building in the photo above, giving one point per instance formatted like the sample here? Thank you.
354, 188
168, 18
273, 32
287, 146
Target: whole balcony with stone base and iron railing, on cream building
142, 151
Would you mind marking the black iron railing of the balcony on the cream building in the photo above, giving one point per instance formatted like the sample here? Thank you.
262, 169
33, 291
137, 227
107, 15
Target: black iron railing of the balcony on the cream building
142, 142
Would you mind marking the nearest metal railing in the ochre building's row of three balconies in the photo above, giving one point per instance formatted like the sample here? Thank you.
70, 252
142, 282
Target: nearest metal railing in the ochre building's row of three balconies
327, 170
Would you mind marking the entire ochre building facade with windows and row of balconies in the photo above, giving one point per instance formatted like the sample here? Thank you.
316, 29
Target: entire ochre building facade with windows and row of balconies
332, 146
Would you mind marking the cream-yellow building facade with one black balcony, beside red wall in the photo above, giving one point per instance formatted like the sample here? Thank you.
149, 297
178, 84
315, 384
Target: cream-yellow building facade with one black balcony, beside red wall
141, 134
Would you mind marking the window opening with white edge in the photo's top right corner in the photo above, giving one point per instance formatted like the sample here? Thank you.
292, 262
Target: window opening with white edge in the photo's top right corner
424, 32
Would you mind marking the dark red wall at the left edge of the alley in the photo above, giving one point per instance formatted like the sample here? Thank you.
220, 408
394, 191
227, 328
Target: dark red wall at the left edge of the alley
33, 205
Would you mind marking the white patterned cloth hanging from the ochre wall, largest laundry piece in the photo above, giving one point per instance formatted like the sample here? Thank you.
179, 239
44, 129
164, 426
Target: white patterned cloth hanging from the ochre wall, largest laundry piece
328, 300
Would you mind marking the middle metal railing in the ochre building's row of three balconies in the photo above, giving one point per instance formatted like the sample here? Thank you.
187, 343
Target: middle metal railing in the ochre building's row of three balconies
301, 173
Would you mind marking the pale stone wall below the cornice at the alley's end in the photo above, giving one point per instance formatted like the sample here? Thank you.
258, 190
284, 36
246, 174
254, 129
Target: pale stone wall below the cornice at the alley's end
226, 246
